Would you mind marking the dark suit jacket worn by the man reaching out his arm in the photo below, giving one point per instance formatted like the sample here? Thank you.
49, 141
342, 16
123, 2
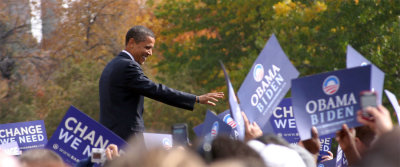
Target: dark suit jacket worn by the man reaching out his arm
122, 87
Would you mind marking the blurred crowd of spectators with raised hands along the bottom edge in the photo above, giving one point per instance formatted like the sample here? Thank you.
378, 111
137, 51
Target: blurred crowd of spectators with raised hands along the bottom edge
374, 144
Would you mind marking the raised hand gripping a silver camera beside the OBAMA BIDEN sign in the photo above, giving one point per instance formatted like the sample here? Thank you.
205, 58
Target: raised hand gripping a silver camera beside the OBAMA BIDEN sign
381, 122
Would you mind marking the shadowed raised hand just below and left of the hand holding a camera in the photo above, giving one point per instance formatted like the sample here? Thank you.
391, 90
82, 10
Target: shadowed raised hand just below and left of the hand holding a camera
346, 139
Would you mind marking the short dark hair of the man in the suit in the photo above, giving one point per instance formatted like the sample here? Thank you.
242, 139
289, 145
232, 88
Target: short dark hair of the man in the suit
139, 34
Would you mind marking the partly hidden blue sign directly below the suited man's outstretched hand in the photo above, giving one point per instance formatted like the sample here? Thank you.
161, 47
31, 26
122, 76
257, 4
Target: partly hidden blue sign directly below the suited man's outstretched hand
213, 126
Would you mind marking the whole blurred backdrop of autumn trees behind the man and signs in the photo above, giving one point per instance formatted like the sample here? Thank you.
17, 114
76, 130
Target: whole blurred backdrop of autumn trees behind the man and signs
52, 52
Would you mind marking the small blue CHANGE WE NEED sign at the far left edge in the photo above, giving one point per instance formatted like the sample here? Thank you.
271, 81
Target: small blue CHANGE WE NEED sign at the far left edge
28, 135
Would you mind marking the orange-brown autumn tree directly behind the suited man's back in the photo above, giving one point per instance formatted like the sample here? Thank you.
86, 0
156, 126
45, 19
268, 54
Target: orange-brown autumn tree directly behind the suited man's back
94, 32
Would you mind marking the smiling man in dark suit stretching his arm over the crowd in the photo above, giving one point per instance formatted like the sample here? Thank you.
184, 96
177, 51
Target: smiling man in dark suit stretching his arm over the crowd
123, 87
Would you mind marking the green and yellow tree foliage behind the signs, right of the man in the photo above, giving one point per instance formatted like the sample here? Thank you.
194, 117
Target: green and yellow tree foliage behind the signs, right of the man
314, 35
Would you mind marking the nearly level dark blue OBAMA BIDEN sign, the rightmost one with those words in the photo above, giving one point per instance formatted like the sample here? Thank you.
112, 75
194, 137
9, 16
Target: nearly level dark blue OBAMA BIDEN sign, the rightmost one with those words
328, 100
